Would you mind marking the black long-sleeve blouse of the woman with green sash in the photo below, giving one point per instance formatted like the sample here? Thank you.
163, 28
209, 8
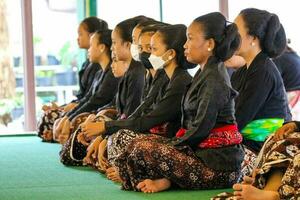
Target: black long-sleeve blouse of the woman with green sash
261, 94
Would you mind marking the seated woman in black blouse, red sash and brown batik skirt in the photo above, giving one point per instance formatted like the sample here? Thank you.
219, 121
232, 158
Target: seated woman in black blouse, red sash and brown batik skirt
206, 153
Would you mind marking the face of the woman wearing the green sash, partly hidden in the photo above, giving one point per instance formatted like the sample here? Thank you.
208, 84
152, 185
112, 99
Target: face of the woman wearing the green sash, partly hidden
246, 39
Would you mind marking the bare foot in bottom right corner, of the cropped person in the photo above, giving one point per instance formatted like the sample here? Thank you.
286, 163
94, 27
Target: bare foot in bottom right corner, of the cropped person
249, 192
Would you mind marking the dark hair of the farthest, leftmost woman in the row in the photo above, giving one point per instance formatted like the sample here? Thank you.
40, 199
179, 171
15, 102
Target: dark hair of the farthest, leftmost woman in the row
92, 24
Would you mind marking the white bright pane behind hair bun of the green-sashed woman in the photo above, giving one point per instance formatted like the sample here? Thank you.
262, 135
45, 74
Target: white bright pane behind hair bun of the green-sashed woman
288, 17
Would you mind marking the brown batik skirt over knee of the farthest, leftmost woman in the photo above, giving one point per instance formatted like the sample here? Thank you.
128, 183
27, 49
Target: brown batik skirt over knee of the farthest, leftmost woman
45, 125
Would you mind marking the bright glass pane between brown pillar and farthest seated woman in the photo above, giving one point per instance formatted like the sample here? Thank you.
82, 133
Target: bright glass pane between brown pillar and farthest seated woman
55, 51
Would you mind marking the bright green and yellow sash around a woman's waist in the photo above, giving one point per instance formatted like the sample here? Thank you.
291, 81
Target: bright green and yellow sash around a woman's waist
258, 130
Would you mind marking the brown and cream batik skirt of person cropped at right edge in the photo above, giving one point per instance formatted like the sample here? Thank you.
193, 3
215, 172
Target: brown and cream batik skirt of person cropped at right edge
285, 156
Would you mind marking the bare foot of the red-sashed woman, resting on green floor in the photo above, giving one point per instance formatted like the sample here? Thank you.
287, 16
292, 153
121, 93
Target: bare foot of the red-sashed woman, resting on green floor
151, 186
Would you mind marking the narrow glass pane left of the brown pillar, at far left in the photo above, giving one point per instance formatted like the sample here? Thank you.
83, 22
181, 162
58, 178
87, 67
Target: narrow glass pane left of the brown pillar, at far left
11, 69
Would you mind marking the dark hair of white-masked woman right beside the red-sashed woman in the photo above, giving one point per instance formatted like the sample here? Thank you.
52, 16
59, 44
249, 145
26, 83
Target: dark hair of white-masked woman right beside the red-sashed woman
176, 42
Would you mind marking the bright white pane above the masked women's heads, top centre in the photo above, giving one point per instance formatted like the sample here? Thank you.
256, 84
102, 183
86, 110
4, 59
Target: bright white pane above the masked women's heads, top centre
184, 12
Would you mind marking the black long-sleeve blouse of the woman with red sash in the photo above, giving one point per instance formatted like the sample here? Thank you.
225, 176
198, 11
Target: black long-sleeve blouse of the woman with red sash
207, 104
